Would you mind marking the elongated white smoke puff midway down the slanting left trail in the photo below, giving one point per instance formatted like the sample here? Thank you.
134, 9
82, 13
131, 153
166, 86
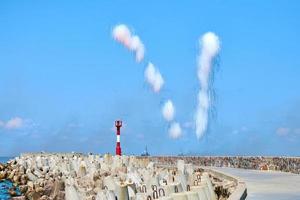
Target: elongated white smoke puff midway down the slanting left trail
153, 77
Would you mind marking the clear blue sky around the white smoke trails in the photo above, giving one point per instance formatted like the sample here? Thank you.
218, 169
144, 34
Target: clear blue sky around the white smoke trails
68, 80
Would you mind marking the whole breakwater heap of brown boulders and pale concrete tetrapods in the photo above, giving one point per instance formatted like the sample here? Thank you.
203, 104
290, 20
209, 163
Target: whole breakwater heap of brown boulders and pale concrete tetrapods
94, 177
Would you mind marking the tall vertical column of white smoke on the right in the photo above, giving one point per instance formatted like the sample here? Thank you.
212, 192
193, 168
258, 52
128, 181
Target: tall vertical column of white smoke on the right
210, 47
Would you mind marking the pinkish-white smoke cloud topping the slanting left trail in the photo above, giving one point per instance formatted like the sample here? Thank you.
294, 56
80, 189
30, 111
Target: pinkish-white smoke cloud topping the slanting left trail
122, 34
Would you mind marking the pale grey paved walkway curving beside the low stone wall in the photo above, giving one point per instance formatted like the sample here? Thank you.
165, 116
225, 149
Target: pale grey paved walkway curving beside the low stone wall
267, 185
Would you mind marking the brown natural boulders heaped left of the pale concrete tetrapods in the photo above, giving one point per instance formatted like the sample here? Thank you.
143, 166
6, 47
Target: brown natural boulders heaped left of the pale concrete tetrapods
32, 179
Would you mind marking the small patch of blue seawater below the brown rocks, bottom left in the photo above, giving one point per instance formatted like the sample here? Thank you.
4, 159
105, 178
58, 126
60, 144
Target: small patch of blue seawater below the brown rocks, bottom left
7, 190
